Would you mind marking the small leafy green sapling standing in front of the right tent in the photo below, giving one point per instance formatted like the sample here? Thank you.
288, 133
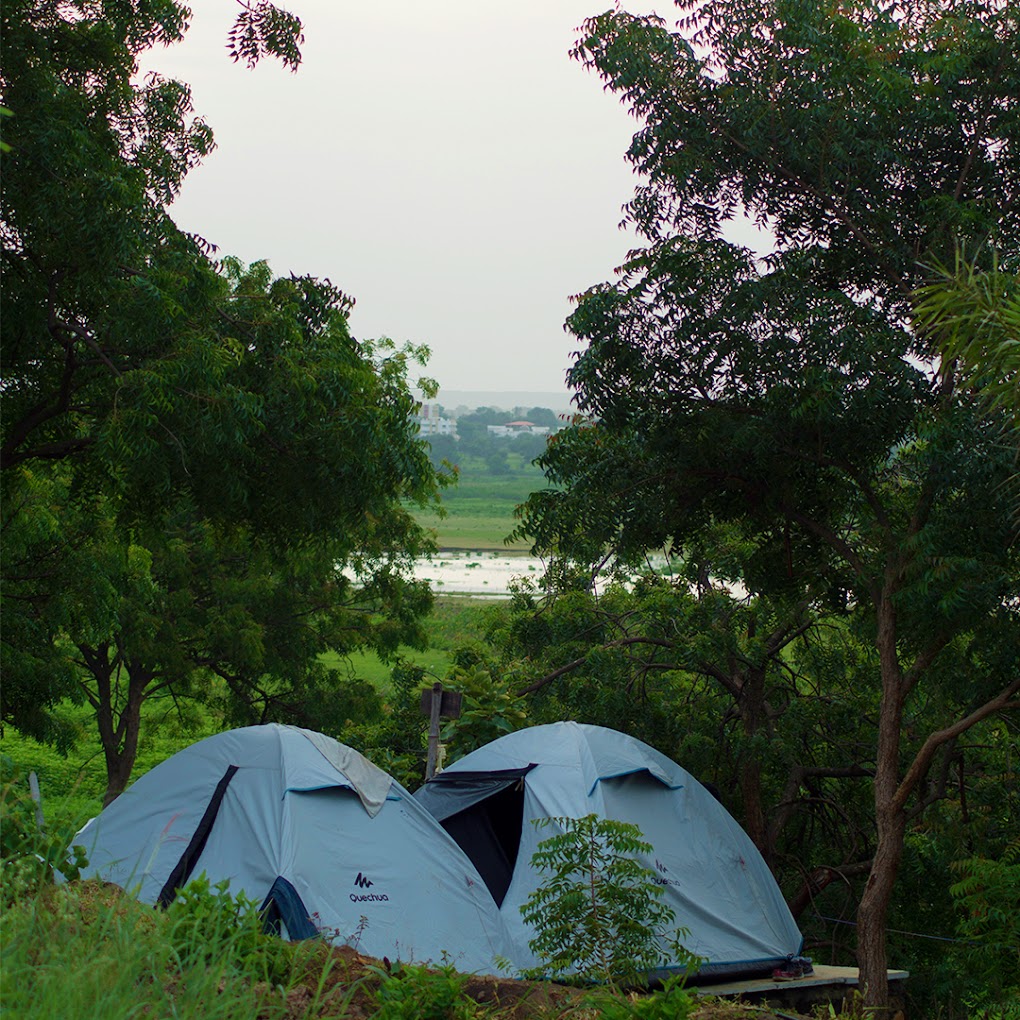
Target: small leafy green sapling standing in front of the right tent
598, 915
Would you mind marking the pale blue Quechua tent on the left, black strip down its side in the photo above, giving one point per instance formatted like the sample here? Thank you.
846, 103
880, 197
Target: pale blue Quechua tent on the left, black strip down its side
312, 830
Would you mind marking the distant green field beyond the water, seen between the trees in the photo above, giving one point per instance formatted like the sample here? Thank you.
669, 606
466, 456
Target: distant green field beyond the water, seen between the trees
481, 507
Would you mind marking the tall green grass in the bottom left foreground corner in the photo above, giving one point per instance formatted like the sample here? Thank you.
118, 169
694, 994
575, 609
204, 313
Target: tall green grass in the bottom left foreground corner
89, 950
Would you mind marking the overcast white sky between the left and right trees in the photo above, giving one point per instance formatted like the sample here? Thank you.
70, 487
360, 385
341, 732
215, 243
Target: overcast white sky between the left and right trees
445, 164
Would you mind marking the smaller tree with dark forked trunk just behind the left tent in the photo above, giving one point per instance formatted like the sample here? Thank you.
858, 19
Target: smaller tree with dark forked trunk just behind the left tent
208, 613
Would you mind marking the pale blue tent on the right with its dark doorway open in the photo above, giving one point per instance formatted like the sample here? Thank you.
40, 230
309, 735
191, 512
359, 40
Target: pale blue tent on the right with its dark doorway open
713, 877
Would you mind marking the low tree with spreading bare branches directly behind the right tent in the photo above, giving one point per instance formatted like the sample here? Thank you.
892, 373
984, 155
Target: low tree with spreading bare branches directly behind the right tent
691, 672
